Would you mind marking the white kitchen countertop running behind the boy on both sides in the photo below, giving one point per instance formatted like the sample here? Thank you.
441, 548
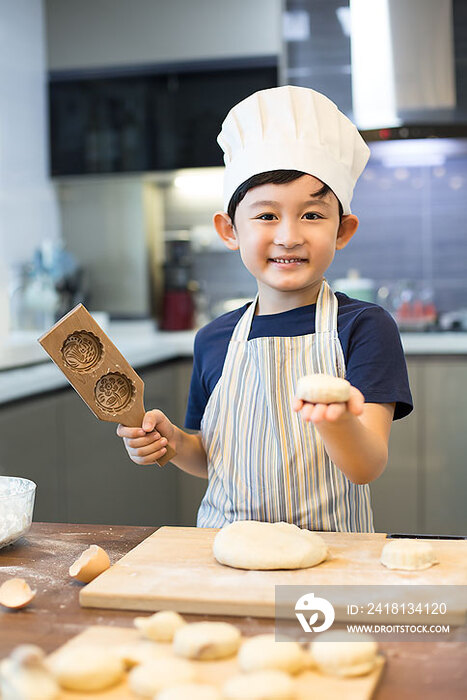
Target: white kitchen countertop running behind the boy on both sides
143, 346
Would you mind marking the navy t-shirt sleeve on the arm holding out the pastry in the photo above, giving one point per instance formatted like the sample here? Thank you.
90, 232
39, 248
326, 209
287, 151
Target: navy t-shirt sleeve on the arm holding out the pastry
376, 363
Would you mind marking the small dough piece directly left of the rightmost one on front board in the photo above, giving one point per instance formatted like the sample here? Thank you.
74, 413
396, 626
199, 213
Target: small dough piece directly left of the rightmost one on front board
263, 652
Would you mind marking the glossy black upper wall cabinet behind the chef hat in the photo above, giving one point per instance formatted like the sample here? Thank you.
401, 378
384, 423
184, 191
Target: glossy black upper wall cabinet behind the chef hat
162, 119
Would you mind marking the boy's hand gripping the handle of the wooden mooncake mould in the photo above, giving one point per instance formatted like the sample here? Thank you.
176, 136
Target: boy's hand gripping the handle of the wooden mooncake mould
148, 444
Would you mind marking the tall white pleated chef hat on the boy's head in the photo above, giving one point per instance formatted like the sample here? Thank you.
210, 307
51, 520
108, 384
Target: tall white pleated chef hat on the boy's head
292, 128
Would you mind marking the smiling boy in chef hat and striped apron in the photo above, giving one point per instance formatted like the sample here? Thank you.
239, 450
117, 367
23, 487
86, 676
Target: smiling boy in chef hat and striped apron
292, 160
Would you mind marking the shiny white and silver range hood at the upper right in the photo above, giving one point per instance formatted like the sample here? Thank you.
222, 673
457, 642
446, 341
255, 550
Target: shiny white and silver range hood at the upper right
403, 67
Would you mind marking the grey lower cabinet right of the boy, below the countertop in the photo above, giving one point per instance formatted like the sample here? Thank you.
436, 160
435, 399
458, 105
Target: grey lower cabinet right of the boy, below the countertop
423, 487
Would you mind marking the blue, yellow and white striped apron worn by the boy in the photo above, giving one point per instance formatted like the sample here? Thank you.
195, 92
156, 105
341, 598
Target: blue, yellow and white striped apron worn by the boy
264, 462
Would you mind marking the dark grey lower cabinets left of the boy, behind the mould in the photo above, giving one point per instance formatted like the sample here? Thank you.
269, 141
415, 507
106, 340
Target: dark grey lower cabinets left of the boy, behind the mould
80, 466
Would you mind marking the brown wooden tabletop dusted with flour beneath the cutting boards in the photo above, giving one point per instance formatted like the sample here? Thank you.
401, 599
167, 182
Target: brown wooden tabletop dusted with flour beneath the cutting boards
425, 670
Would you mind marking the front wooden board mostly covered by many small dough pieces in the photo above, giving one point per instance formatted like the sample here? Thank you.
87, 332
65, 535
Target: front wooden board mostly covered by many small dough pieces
309, 684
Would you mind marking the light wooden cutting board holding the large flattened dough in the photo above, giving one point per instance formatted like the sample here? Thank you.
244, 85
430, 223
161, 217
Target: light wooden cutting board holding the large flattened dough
174, 569
